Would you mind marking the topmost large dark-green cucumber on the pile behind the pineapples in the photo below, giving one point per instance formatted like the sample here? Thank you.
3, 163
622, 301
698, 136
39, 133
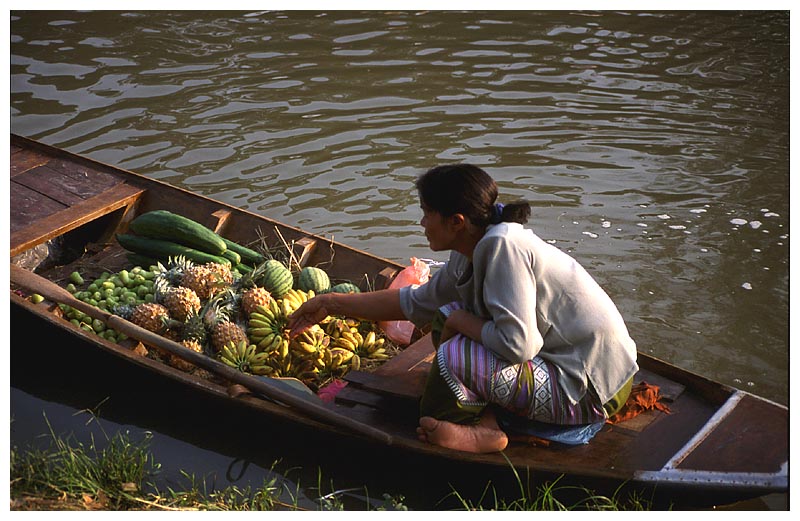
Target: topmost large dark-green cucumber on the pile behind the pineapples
165, 225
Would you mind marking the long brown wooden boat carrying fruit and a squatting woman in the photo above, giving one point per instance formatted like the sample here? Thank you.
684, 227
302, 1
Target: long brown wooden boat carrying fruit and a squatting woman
716, 444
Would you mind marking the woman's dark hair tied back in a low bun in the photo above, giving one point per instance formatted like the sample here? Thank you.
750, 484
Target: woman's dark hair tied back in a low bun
468, 190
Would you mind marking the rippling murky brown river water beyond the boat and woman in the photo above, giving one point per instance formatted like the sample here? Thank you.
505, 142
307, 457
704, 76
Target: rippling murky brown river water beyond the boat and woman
653, 146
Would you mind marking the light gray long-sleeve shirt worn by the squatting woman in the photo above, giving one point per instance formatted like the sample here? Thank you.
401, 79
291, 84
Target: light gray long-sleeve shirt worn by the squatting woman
538, 301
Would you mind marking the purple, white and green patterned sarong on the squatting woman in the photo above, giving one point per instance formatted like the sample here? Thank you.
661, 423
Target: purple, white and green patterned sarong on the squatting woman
467, 377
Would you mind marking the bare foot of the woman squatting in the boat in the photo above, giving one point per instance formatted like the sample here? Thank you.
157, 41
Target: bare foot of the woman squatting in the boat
486, 436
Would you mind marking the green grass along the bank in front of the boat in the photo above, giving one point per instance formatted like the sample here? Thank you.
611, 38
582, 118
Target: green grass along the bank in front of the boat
120, 476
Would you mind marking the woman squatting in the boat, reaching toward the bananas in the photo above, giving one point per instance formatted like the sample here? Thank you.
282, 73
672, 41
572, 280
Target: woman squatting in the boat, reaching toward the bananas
521, 327
